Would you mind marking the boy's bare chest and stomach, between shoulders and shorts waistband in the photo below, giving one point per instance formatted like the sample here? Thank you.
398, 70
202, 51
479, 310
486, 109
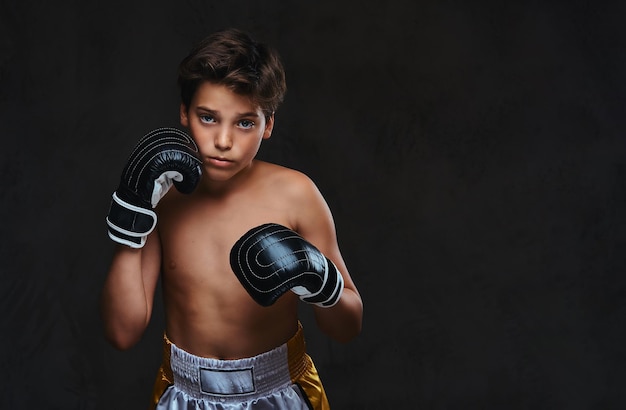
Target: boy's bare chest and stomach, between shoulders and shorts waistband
207, 308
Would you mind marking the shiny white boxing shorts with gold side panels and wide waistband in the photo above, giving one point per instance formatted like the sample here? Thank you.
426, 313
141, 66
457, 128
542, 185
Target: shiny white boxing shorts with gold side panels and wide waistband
283, 378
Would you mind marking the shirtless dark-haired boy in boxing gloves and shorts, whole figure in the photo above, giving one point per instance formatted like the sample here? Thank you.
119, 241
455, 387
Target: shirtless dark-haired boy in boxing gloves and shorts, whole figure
238, 244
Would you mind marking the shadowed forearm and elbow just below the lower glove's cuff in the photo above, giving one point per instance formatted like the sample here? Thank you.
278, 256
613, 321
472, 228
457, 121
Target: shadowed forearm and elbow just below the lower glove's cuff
343, 321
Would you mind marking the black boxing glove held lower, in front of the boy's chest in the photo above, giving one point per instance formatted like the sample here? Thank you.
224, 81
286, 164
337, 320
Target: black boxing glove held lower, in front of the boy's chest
271, 259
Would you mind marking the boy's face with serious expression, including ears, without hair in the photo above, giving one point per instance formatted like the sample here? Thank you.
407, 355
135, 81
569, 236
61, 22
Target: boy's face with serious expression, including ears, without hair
227, 127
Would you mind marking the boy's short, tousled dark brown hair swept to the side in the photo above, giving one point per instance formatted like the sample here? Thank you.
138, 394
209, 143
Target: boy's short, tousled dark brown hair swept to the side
232, 58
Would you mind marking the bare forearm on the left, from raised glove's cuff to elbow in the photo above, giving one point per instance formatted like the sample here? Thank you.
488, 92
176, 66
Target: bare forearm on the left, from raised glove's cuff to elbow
125, 305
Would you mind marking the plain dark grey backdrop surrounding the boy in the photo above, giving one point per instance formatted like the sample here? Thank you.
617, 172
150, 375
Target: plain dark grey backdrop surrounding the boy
472, 154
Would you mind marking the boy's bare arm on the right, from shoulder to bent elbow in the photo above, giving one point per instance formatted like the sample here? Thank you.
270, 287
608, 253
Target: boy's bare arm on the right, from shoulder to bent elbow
315, 223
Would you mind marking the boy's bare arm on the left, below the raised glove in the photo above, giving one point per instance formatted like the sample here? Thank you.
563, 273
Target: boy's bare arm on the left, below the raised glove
128, 293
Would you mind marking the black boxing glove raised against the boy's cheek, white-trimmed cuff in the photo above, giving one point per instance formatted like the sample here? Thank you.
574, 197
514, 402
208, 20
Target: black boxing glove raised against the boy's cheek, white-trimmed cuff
162, 157
